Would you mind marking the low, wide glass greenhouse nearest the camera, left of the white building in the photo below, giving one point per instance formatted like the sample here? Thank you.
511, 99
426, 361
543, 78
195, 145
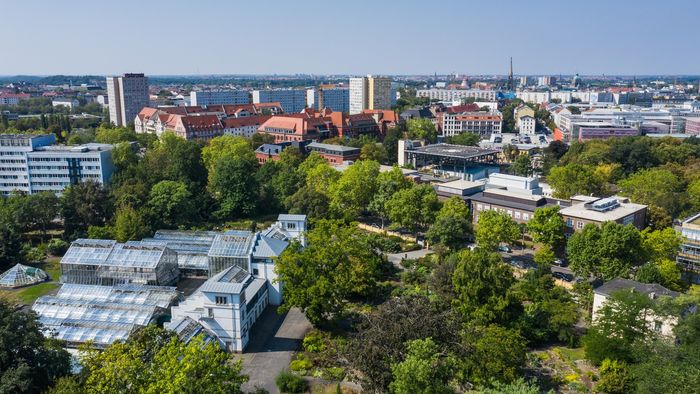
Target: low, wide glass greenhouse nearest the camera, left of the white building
102, 314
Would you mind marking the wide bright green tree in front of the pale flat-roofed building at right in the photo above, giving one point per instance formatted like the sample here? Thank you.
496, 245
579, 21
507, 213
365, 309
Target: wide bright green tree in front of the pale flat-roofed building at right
606, 252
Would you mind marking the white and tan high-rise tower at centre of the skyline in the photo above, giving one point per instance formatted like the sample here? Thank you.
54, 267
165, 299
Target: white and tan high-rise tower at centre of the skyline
369, 93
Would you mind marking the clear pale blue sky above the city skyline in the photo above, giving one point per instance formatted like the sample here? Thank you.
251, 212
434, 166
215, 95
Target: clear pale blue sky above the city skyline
350, 37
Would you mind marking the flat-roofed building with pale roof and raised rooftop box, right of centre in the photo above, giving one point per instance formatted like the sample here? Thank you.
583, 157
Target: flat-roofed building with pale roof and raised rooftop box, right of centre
596, 210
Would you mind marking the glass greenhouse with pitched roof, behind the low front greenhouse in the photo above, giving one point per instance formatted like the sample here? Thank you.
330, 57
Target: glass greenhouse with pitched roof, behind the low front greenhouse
106, 262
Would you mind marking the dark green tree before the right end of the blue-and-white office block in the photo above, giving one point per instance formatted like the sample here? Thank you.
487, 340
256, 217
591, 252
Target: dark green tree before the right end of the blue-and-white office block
83, 205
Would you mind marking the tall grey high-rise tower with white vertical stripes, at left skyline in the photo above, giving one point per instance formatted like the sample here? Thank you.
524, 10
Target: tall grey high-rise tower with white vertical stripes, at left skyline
127, 95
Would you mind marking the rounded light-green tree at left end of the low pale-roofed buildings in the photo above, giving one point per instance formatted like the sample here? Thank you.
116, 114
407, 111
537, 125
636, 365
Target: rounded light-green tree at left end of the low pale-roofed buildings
413, 208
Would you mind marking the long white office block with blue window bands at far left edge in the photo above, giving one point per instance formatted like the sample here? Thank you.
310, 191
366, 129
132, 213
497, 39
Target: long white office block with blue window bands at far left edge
32, 164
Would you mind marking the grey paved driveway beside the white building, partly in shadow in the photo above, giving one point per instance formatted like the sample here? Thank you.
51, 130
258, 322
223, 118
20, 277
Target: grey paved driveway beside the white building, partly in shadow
274, 338
